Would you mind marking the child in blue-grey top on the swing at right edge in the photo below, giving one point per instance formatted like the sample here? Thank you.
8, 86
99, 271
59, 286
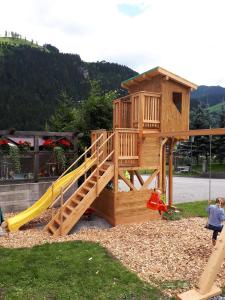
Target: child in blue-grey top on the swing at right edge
215, 218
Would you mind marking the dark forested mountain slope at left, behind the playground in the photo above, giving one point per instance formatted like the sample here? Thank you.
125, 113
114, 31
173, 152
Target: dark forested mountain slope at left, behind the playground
33, 76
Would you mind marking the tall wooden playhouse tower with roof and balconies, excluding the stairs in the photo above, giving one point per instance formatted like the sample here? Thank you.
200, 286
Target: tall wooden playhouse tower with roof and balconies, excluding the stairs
158, 102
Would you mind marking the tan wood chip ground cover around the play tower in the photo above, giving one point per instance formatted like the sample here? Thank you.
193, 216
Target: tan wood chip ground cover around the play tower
158, 251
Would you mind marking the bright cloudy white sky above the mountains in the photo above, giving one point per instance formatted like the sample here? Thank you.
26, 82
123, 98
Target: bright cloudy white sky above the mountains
185, 37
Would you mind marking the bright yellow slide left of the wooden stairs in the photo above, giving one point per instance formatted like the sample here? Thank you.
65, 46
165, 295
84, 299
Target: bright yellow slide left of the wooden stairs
48, 198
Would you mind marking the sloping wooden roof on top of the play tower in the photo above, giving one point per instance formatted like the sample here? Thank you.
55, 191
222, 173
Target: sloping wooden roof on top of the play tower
154, 72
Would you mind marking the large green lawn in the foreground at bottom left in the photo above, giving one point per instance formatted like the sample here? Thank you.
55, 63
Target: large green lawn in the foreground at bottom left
72, 270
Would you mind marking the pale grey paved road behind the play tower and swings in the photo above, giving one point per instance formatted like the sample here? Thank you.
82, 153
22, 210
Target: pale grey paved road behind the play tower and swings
188, 189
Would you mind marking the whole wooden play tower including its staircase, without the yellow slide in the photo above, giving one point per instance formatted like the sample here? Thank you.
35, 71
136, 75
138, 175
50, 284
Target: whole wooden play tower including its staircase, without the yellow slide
158, 102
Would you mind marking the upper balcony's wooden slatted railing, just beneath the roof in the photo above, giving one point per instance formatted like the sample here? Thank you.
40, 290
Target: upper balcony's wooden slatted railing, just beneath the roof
139, 110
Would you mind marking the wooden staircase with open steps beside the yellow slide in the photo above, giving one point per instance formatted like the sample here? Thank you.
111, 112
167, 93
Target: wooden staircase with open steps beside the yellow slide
73, 209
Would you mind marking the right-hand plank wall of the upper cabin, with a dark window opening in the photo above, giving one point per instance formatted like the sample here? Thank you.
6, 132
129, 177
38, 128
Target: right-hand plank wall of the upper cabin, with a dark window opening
171, 118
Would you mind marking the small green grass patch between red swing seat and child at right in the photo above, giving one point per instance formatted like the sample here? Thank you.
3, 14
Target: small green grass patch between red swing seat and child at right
192, 209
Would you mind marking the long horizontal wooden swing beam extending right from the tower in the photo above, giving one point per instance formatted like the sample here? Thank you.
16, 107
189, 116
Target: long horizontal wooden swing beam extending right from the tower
194, 132
